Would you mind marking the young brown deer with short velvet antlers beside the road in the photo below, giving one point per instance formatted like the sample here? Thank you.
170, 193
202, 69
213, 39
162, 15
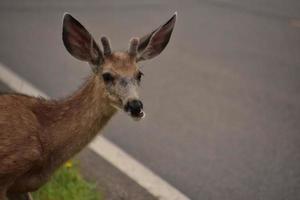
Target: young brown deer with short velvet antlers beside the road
39, 135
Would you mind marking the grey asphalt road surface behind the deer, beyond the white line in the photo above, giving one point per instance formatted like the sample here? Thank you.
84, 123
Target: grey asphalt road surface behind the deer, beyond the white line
222, 101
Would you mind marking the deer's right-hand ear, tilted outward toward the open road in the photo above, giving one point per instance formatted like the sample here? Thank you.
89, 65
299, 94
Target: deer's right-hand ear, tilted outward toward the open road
155, 42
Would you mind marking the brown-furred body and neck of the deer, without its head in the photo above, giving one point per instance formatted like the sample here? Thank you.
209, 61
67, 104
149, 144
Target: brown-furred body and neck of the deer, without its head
38, 135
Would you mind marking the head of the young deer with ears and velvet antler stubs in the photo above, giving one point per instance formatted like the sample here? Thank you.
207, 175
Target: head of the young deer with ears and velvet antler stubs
118, 70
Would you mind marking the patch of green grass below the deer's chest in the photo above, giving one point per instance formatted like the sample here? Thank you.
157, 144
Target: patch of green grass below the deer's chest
67, 184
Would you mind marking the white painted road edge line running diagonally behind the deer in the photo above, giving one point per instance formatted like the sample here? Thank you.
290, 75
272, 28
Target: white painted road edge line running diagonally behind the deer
109, 151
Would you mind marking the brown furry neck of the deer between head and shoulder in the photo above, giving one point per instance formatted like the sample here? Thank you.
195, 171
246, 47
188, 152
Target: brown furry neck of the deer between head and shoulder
76, 120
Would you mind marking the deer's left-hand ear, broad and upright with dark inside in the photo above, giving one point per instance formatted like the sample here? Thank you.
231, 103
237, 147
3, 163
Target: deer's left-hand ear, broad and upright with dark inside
79, 42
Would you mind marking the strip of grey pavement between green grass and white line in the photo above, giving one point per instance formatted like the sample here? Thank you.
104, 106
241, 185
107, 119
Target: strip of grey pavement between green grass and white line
114, 184
